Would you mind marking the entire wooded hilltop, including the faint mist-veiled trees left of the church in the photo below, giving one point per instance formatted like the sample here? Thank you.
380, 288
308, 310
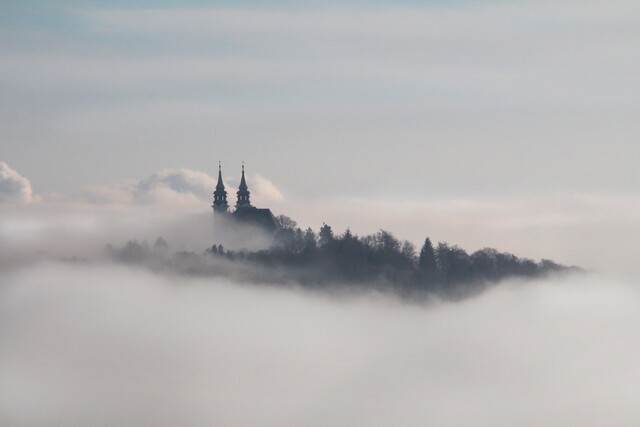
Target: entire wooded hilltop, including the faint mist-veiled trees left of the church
325, 260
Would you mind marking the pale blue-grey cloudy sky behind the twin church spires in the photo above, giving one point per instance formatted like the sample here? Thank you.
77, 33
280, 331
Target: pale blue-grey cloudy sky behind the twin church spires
511, 124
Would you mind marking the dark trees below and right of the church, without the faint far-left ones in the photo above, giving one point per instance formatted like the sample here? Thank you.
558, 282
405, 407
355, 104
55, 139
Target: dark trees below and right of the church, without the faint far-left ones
316, 259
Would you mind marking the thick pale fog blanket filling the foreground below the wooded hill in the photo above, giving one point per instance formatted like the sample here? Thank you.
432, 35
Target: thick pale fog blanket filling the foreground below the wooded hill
101, 344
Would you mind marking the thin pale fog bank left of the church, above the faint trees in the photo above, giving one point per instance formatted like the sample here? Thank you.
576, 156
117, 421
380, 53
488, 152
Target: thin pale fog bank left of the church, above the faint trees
64, 230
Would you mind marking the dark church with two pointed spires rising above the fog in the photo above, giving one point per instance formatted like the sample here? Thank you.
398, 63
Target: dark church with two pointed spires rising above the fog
244, 212
